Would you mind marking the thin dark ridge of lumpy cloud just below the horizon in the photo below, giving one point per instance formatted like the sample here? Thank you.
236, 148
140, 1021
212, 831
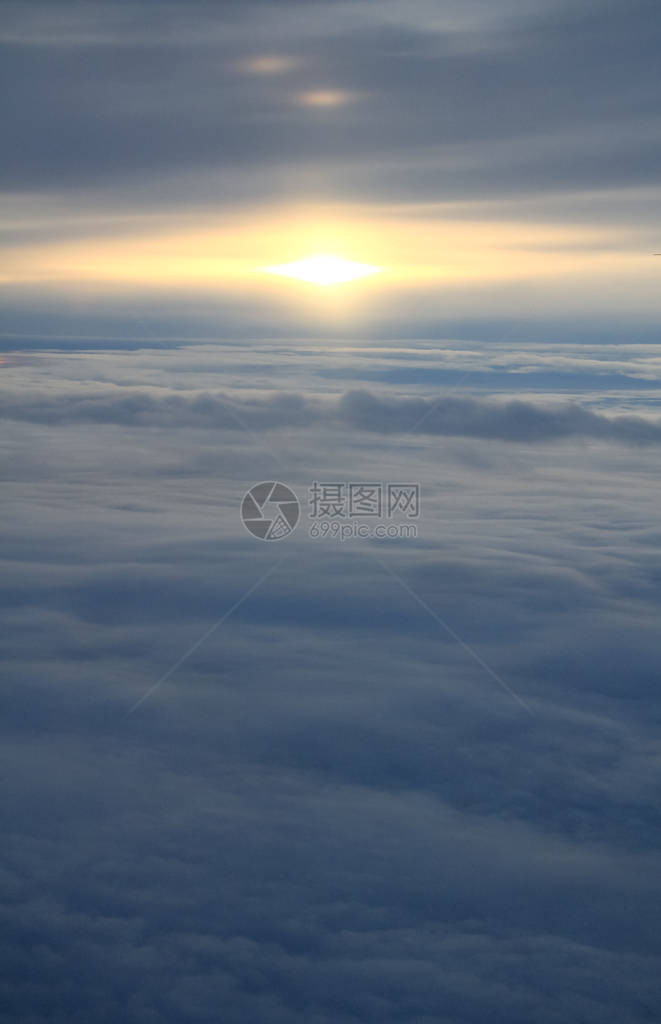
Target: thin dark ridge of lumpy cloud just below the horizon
449, 416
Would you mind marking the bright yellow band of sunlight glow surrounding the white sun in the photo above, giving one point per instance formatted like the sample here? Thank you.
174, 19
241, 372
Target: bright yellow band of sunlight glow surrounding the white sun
434, 249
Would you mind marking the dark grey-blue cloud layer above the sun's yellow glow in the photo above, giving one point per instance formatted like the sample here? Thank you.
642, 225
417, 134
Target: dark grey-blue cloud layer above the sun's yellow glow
534, 102
